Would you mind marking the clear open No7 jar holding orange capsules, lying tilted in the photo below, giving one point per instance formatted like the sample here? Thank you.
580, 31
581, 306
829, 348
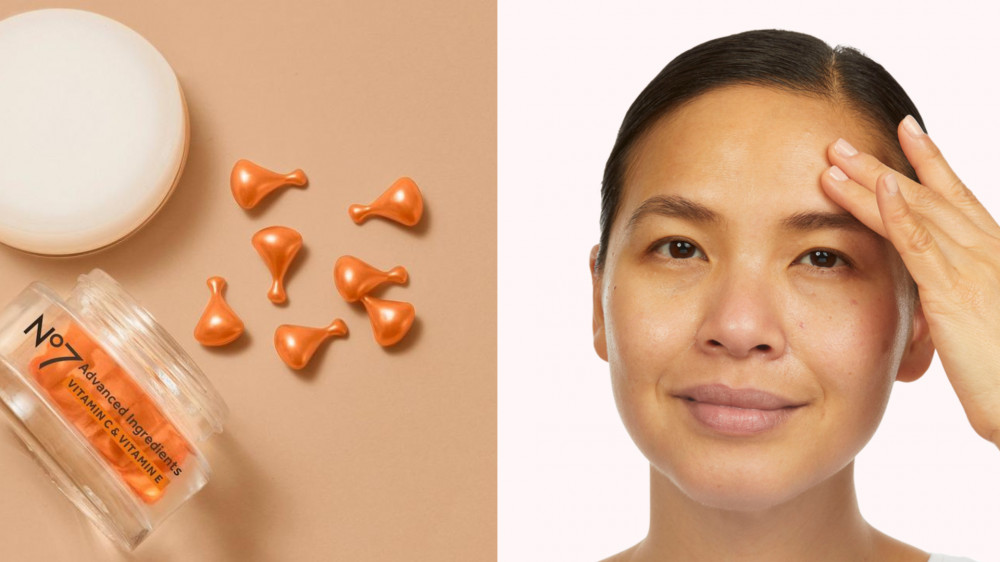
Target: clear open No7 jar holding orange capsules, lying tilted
108, 402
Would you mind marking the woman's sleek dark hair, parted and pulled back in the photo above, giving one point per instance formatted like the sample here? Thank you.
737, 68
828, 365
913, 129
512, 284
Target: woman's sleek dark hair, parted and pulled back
785, 60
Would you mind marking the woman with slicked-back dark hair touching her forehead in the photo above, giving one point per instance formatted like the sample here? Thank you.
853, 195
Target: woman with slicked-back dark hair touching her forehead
756, 293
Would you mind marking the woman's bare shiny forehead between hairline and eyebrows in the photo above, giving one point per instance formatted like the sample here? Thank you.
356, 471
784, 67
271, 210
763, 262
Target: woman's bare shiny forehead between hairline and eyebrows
744, 150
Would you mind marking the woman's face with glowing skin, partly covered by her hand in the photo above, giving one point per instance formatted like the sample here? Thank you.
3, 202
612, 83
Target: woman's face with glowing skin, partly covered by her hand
746, 304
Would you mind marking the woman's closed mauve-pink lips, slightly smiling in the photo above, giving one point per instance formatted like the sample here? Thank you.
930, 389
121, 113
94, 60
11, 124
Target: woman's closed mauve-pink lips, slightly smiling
744, 411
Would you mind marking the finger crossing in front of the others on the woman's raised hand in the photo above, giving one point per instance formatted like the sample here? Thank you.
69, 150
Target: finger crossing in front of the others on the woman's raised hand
913, 239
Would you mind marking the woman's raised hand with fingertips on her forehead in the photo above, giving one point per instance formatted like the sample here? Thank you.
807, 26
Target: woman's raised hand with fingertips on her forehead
951, 247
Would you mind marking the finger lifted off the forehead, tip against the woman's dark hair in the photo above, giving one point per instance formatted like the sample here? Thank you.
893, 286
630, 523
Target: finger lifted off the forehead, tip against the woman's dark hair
935, 172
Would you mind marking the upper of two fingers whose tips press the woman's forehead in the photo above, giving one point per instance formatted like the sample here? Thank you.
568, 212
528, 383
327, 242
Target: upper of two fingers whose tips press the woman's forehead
866, 169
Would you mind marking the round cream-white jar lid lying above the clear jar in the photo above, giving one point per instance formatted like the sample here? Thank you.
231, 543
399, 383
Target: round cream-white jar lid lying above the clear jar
93, 131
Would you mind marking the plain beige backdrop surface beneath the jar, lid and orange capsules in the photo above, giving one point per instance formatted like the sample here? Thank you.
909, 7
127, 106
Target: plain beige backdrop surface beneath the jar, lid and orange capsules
370, 454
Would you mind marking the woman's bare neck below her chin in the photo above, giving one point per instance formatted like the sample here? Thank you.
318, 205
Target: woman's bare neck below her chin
822, 523
